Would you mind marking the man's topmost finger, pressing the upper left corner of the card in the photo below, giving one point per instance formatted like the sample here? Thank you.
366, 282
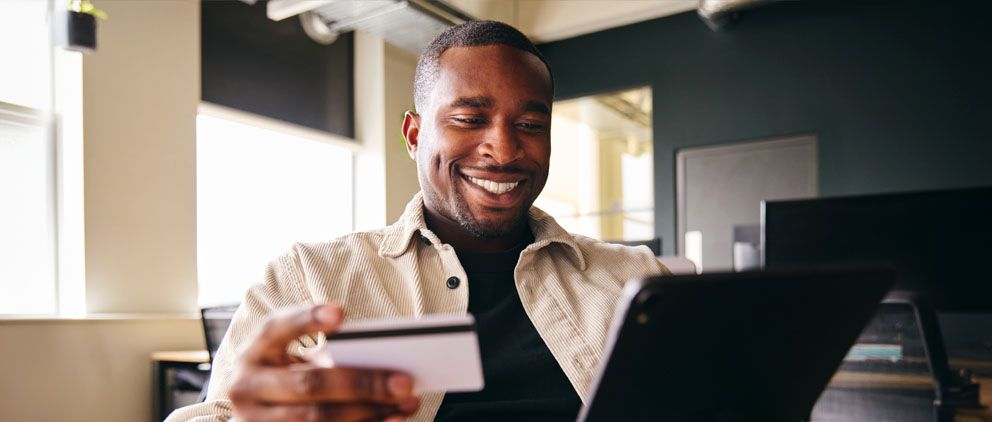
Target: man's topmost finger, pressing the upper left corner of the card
269, 346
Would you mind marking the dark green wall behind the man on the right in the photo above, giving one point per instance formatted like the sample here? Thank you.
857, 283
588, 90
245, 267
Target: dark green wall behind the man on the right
898, 93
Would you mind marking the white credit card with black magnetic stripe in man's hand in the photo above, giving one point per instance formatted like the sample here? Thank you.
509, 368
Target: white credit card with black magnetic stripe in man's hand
440, 352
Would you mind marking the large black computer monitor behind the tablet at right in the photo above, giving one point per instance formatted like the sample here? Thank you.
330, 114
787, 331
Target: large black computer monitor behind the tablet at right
940, 242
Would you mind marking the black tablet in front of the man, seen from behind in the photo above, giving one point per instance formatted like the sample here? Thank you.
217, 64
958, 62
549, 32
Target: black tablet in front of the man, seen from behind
754, 346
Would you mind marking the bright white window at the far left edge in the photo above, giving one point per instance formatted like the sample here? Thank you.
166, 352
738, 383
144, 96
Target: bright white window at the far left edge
27, 174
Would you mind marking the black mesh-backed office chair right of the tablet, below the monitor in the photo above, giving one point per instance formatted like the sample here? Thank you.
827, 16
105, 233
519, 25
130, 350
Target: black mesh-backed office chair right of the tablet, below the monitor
891, 351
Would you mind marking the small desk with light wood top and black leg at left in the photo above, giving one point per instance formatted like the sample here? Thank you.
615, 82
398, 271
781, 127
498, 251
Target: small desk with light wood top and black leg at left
165, 365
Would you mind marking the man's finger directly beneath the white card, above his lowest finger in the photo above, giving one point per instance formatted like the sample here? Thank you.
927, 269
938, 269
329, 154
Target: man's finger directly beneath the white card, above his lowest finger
313, 384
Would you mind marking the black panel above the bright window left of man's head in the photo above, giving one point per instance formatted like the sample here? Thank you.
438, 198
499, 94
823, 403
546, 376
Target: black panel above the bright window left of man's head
273, 69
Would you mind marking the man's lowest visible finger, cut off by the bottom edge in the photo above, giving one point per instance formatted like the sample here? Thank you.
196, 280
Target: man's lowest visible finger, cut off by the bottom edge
346, 412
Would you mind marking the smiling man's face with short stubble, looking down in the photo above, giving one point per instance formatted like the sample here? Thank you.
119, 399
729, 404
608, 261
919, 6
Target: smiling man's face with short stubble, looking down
483, 144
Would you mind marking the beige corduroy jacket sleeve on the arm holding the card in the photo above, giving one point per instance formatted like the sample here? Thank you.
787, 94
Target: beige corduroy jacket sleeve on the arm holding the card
281, 288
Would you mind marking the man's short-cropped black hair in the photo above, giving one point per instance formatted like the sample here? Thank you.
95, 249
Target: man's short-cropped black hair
467, 34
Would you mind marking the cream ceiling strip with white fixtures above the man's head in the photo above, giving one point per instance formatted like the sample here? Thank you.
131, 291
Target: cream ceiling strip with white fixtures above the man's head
412, 24
